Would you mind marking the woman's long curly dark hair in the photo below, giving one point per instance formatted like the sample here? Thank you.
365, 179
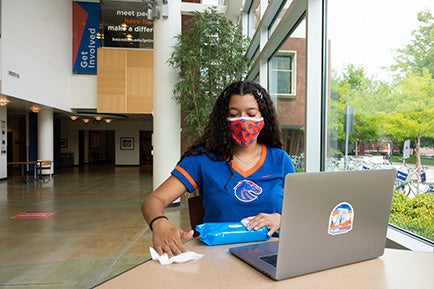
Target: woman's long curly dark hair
216, 138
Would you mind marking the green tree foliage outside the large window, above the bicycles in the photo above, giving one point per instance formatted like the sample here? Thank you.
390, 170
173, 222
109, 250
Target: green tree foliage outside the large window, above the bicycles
396, 111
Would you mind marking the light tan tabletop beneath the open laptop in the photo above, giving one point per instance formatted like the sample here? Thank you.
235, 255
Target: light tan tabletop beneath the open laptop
219, 269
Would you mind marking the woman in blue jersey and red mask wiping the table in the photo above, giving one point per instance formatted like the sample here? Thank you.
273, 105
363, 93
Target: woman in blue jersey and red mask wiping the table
237, 165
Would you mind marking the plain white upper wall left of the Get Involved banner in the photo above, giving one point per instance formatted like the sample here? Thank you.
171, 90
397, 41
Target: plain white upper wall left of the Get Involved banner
37, 37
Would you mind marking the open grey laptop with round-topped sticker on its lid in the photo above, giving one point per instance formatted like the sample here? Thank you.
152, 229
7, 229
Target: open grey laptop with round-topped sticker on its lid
329, 219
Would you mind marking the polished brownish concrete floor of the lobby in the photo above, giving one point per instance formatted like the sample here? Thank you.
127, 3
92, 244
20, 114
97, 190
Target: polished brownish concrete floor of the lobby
96, 233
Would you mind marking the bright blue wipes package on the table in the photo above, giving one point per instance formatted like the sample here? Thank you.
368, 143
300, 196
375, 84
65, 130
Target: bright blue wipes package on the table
229, 233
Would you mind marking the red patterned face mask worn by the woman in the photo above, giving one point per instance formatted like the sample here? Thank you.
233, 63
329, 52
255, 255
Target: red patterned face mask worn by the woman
245, 130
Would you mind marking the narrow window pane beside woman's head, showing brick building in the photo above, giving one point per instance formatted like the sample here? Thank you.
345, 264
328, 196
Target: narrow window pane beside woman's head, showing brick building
286, 84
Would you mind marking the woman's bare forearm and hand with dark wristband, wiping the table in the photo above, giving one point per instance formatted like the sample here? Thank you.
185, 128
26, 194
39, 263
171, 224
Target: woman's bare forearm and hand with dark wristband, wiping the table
166, 237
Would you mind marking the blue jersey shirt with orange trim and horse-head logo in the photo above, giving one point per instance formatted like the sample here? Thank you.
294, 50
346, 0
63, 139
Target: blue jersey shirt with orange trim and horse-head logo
231, 194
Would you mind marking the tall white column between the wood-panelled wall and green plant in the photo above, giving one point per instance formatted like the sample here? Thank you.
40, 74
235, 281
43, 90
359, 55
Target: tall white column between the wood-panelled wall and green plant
166, 139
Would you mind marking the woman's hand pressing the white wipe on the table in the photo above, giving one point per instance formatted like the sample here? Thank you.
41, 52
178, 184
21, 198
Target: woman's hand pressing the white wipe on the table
168, 238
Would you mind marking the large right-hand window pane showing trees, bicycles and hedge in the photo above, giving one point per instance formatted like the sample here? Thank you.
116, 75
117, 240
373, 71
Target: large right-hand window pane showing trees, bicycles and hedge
381, 101
